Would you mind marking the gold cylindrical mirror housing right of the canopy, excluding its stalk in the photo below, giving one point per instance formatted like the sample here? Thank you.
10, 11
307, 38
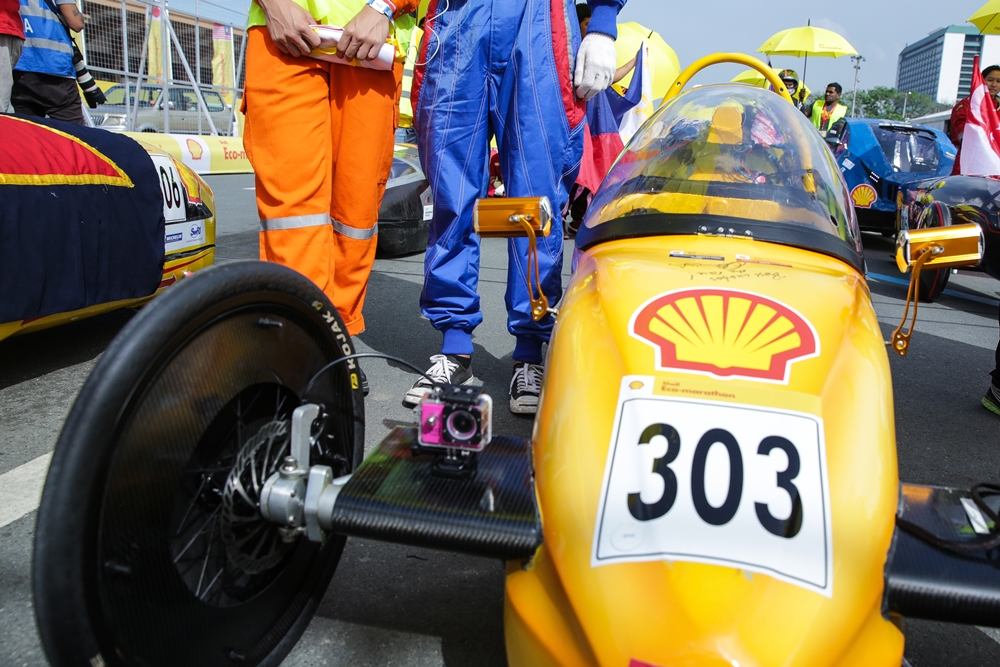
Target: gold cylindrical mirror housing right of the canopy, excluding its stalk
944, 247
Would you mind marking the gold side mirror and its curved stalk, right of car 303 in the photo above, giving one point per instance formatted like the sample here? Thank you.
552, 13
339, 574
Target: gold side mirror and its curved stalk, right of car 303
932, 247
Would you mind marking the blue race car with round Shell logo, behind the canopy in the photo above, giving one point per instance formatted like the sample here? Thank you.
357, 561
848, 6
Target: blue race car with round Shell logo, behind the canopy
879, 156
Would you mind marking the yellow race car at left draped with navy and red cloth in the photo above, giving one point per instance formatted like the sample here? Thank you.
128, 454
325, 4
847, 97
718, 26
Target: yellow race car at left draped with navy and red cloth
91, 222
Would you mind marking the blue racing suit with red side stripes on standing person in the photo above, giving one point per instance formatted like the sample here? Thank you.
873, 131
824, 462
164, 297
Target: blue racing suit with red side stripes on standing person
503, 68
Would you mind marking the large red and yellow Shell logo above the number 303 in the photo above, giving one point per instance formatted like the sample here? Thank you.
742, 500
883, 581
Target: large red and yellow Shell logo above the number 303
724, 333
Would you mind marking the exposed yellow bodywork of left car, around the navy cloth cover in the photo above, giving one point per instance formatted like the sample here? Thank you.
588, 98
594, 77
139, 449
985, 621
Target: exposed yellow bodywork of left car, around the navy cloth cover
175, 265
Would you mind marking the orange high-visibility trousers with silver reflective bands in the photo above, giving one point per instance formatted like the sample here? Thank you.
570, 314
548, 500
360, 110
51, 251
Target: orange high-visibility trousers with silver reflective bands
320, 138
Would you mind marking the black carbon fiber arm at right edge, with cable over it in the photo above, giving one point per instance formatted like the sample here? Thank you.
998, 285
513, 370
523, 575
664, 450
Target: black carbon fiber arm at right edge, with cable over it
924, 581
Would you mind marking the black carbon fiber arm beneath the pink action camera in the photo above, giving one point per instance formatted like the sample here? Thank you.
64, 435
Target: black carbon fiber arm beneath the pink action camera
394, 497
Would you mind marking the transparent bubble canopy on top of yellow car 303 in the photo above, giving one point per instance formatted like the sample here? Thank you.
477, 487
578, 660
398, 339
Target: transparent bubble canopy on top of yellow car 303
731, 160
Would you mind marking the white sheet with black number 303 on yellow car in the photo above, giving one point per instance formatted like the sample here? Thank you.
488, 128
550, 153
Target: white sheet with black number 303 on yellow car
716, 483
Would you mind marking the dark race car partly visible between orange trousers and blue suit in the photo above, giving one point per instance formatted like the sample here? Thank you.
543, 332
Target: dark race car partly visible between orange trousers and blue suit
407, 206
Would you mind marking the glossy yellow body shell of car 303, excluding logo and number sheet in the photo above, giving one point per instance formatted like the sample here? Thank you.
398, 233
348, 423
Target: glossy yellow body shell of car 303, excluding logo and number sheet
560, 610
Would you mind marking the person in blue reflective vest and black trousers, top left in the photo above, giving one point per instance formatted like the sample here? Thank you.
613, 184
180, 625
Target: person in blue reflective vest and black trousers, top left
44, 77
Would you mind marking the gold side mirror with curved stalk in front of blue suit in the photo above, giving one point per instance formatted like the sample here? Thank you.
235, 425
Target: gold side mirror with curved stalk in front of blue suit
506, 217
